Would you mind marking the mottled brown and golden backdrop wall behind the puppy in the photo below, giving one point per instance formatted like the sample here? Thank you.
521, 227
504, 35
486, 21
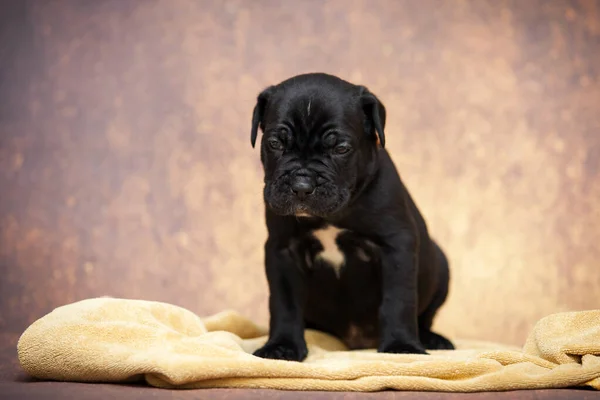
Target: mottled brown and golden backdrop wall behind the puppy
126, 168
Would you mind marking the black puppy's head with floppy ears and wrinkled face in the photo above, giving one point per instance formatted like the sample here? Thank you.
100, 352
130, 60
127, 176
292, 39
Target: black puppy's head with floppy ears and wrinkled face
320, 140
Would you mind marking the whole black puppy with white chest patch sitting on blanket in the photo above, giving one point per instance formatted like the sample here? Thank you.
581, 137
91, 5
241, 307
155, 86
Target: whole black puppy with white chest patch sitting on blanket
348, 252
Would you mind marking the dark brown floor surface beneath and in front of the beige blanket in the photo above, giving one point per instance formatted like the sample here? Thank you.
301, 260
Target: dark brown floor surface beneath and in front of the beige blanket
15, 384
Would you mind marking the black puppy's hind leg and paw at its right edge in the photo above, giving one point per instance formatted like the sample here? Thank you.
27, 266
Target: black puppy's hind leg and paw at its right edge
430, 339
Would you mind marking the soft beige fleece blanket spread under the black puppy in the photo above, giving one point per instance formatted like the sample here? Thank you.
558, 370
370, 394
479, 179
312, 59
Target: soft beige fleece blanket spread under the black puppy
117, 340
